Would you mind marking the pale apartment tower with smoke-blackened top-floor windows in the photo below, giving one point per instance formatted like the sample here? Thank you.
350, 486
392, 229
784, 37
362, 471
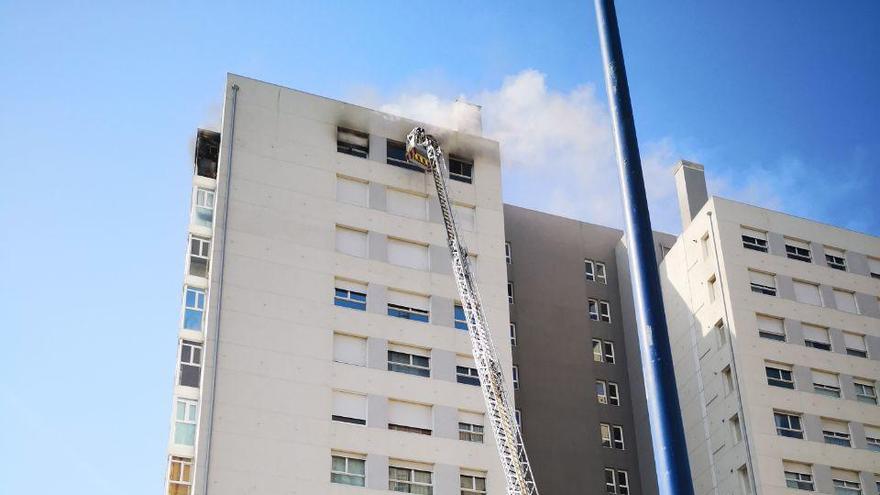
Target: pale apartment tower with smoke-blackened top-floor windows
321, 349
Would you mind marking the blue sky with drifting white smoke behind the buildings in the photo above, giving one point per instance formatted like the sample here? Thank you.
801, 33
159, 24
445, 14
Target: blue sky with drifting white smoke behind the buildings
777, 99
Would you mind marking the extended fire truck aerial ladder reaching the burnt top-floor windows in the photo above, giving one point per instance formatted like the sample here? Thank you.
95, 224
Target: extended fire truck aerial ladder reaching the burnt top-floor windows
424, 150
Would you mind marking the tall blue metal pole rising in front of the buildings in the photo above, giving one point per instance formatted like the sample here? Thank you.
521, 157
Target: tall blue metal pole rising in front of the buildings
664, 411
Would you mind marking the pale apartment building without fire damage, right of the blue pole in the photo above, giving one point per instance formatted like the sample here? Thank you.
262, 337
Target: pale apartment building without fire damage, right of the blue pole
775, 329
